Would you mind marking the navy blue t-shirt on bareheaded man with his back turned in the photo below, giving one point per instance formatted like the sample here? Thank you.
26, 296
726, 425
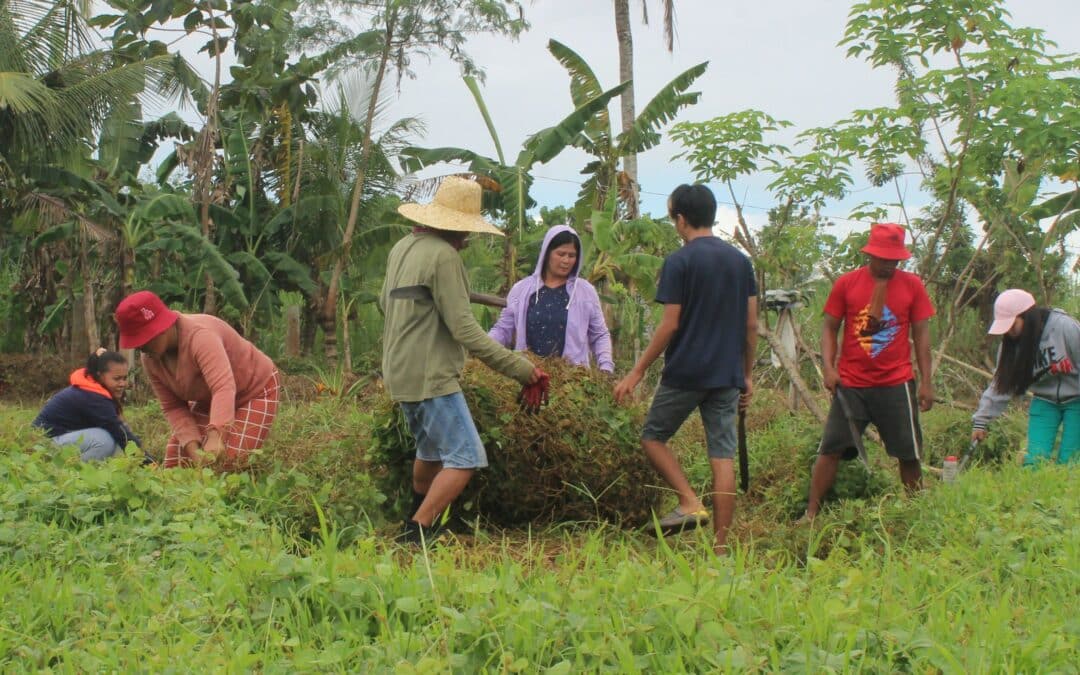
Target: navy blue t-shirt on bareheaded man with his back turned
712, 281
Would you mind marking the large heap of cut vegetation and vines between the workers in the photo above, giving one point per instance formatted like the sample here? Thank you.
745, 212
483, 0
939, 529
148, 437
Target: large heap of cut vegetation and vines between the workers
578, 460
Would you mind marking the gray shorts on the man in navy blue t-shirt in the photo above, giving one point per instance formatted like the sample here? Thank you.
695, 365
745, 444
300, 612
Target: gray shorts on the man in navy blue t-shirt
718, 407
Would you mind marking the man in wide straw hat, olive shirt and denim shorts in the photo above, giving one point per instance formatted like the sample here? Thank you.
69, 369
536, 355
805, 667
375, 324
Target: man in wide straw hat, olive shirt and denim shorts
429, 328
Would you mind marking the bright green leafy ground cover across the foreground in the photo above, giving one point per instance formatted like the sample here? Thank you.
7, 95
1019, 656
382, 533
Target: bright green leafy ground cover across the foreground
114, 568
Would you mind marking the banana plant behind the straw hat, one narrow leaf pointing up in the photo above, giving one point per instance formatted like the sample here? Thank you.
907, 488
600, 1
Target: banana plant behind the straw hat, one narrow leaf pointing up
508, 185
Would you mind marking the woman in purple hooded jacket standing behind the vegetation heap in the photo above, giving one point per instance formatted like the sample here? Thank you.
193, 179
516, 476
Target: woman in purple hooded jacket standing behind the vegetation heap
553, 313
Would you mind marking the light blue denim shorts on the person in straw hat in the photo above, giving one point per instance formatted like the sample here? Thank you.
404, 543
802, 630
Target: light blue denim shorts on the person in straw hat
444, 433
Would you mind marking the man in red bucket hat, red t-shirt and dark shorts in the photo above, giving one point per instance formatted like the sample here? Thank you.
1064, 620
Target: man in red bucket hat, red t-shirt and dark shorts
879, 306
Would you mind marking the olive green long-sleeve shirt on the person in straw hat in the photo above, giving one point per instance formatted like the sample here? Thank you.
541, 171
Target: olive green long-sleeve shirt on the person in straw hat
429, 325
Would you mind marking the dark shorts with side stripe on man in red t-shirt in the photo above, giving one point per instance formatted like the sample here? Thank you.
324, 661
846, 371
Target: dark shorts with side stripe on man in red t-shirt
893, 410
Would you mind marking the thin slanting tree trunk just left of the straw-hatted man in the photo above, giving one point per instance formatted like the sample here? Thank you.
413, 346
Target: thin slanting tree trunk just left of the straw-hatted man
329, 315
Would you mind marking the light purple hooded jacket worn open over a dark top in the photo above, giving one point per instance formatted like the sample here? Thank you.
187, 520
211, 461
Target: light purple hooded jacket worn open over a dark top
586, 329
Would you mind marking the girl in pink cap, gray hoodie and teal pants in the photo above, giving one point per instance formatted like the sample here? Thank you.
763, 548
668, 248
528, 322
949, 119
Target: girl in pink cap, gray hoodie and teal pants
1041, 350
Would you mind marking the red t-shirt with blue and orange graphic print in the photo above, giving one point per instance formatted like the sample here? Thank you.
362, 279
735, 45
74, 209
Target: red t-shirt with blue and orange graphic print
882, 359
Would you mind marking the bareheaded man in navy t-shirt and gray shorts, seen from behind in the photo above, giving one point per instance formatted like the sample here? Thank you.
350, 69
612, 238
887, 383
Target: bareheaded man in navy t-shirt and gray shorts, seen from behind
709, 336
